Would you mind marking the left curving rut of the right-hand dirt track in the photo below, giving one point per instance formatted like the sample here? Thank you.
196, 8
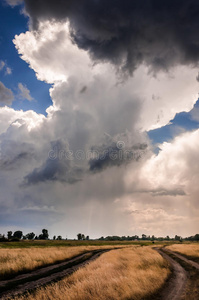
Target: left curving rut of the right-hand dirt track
176, 286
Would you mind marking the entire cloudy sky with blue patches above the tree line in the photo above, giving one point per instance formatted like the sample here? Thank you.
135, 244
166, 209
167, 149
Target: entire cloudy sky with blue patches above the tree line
99, 117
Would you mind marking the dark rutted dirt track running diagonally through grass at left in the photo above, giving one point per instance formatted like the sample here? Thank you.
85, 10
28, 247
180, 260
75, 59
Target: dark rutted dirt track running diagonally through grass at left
30, 281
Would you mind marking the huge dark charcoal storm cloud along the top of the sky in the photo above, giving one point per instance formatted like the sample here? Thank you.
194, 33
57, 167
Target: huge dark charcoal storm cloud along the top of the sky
128, 33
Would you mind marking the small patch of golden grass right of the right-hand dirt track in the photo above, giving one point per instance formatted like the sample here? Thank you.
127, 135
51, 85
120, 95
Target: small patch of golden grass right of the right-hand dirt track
191, 250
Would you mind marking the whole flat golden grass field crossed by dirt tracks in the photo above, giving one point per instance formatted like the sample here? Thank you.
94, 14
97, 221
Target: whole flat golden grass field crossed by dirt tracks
131, 270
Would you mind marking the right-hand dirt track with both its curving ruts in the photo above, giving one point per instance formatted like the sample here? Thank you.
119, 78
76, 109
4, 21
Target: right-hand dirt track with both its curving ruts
177, 285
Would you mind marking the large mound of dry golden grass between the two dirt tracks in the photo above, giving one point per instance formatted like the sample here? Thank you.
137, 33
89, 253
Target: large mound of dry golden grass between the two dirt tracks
130, 273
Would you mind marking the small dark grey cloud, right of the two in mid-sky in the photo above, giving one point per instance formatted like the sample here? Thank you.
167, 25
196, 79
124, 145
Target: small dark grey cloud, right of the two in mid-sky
115, 154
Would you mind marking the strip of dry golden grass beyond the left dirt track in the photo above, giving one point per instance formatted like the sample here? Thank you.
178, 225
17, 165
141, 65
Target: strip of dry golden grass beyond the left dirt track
13, 261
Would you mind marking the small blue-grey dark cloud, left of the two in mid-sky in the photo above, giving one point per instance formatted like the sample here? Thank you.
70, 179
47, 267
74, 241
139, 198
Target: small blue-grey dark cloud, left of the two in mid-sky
58, 167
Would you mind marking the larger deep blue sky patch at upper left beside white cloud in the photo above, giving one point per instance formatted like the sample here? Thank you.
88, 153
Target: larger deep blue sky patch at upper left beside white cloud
13, 22
